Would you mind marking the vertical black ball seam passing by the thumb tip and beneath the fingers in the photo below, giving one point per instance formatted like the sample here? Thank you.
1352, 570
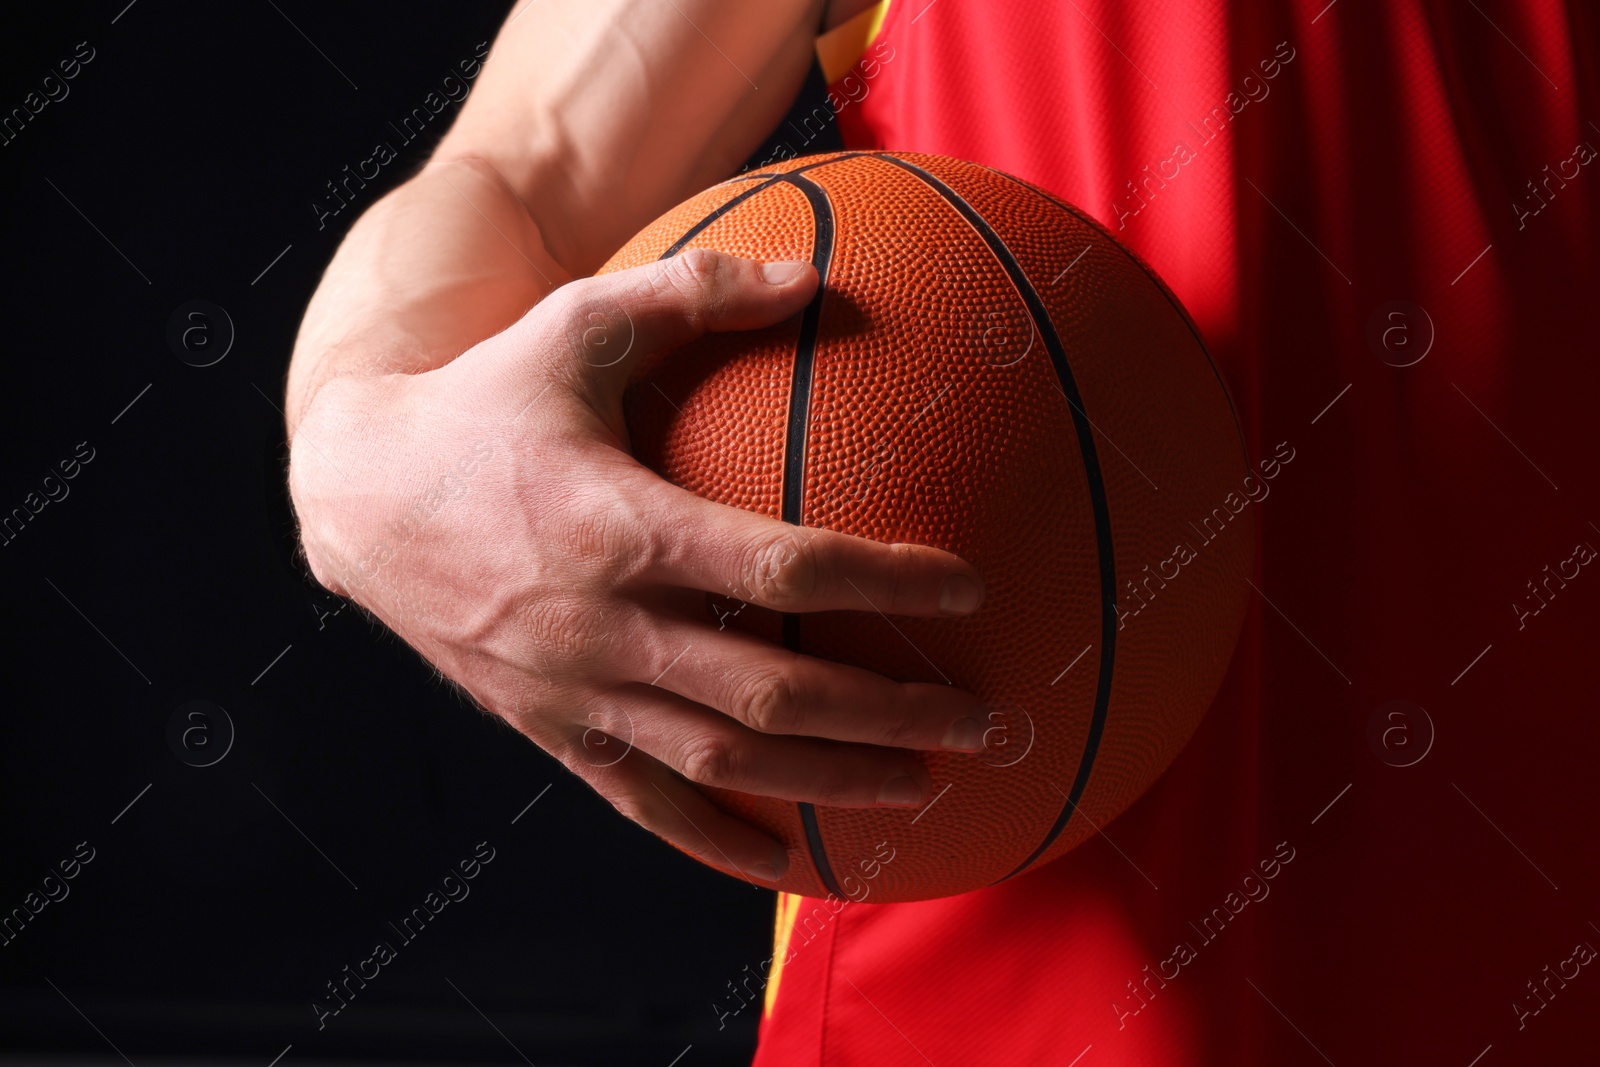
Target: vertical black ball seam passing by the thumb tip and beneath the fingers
794, 454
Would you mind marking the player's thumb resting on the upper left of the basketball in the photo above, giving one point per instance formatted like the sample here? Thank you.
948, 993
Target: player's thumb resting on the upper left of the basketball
615, 321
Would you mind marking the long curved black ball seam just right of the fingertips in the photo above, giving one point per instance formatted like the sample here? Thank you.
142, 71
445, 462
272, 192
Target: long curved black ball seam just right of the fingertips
1092, 473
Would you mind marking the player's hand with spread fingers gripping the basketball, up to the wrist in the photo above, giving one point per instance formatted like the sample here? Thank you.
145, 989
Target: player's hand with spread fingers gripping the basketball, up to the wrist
490, 514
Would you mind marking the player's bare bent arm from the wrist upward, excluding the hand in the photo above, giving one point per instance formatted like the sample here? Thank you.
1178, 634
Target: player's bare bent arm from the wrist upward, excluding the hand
591, 119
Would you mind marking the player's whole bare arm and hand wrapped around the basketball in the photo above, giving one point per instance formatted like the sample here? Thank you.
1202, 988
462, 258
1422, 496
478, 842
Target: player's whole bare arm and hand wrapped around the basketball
460, 462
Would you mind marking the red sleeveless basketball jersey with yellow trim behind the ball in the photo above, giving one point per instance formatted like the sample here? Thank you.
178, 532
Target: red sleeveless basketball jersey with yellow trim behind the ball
1380, 845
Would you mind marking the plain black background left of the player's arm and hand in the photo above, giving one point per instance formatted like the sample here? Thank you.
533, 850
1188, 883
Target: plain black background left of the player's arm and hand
183, 161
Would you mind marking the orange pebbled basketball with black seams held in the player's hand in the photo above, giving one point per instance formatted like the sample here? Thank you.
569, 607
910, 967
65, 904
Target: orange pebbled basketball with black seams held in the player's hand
985, 370
